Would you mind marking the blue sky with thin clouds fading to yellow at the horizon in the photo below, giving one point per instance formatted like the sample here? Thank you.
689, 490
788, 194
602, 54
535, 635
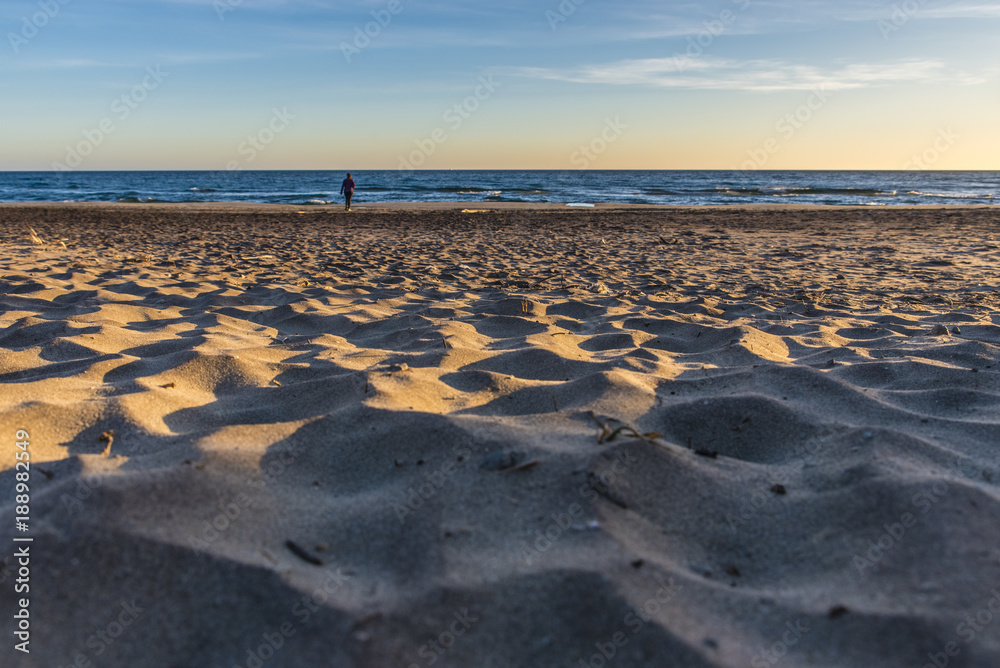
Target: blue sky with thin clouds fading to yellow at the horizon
549, 84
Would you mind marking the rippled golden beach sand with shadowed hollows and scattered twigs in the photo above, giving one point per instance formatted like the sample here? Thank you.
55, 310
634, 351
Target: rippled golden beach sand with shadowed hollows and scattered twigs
516, 436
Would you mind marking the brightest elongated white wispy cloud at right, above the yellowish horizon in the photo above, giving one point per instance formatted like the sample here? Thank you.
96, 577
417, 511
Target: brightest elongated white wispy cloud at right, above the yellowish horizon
750, 75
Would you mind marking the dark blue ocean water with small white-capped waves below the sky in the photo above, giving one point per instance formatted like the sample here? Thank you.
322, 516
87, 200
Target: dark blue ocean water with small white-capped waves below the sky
874, 188
